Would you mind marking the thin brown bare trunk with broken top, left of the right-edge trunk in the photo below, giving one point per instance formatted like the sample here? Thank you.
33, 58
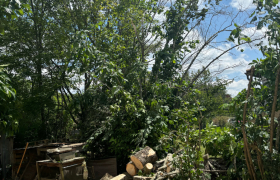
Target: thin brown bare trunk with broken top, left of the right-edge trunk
247, 153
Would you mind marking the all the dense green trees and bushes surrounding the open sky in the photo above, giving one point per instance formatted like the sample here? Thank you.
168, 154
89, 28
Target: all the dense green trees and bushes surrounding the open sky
86, 65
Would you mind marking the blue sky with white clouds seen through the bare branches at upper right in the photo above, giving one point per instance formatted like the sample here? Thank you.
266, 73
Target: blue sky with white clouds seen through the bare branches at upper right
233, 65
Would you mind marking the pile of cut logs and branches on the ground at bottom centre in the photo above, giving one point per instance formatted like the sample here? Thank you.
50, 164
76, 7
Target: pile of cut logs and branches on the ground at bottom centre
147, 161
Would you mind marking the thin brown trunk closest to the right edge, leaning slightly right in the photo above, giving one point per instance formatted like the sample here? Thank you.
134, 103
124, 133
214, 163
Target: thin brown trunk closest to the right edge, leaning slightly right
273, 110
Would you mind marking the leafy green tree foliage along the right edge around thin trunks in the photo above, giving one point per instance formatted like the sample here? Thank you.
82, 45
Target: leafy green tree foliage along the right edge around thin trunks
262, 101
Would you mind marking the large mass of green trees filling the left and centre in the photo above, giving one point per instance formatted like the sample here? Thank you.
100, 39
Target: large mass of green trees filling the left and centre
79, 64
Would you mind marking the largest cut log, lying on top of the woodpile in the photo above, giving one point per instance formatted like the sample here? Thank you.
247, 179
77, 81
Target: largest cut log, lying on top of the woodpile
141, 158
